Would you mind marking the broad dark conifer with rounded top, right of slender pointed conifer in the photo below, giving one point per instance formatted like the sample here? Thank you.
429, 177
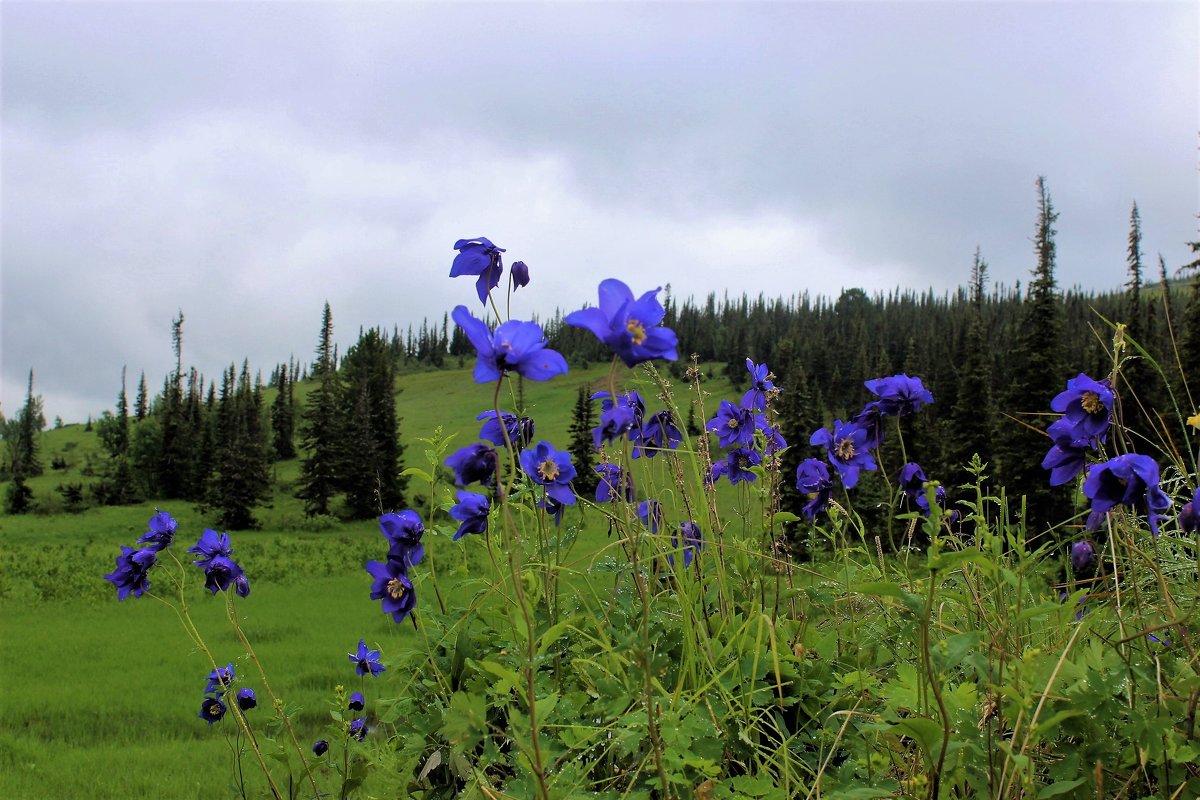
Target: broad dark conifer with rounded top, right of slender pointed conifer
371, 476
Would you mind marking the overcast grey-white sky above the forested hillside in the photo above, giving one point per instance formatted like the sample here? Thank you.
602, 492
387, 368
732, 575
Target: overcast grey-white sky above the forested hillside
245, 163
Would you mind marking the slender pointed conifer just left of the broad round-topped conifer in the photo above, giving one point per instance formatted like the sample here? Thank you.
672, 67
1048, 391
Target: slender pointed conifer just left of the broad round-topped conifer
322, 428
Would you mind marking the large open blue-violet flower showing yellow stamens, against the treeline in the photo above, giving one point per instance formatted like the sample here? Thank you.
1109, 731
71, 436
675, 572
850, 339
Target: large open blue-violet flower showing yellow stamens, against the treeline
631, 328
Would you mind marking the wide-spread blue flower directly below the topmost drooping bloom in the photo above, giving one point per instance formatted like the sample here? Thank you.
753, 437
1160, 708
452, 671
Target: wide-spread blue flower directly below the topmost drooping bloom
514, 347
